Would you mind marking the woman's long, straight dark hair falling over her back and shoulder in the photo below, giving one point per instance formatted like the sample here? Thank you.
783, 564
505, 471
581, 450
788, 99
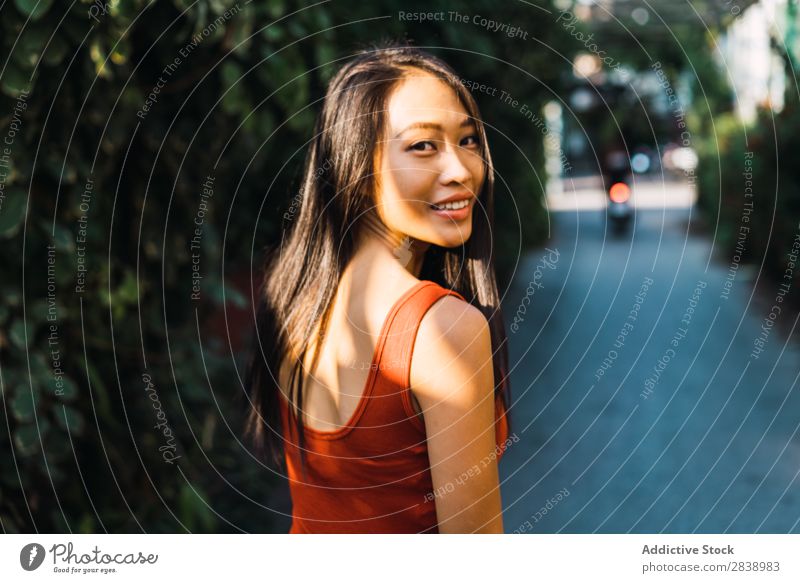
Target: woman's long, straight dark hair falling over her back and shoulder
301, 275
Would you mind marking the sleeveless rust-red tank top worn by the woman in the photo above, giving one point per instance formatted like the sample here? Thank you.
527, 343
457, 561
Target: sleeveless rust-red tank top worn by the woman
372, 475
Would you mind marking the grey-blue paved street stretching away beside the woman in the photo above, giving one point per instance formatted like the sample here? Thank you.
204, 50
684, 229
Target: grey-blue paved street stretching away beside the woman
640, 407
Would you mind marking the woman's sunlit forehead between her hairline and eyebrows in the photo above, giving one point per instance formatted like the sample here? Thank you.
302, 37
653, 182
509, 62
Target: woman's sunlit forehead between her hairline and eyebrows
420, 96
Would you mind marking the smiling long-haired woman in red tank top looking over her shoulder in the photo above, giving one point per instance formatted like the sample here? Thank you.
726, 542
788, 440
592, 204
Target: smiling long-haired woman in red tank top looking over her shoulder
380, 317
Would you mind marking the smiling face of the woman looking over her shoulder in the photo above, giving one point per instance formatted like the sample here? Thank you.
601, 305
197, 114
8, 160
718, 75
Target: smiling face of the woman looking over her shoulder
429, 167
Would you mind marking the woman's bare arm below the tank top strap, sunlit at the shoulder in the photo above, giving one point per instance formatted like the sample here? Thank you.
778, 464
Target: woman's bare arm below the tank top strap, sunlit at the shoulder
452, 379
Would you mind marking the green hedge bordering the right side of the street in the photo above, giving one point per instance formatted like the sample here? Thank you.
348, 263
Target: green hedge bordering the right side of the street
757, 157
